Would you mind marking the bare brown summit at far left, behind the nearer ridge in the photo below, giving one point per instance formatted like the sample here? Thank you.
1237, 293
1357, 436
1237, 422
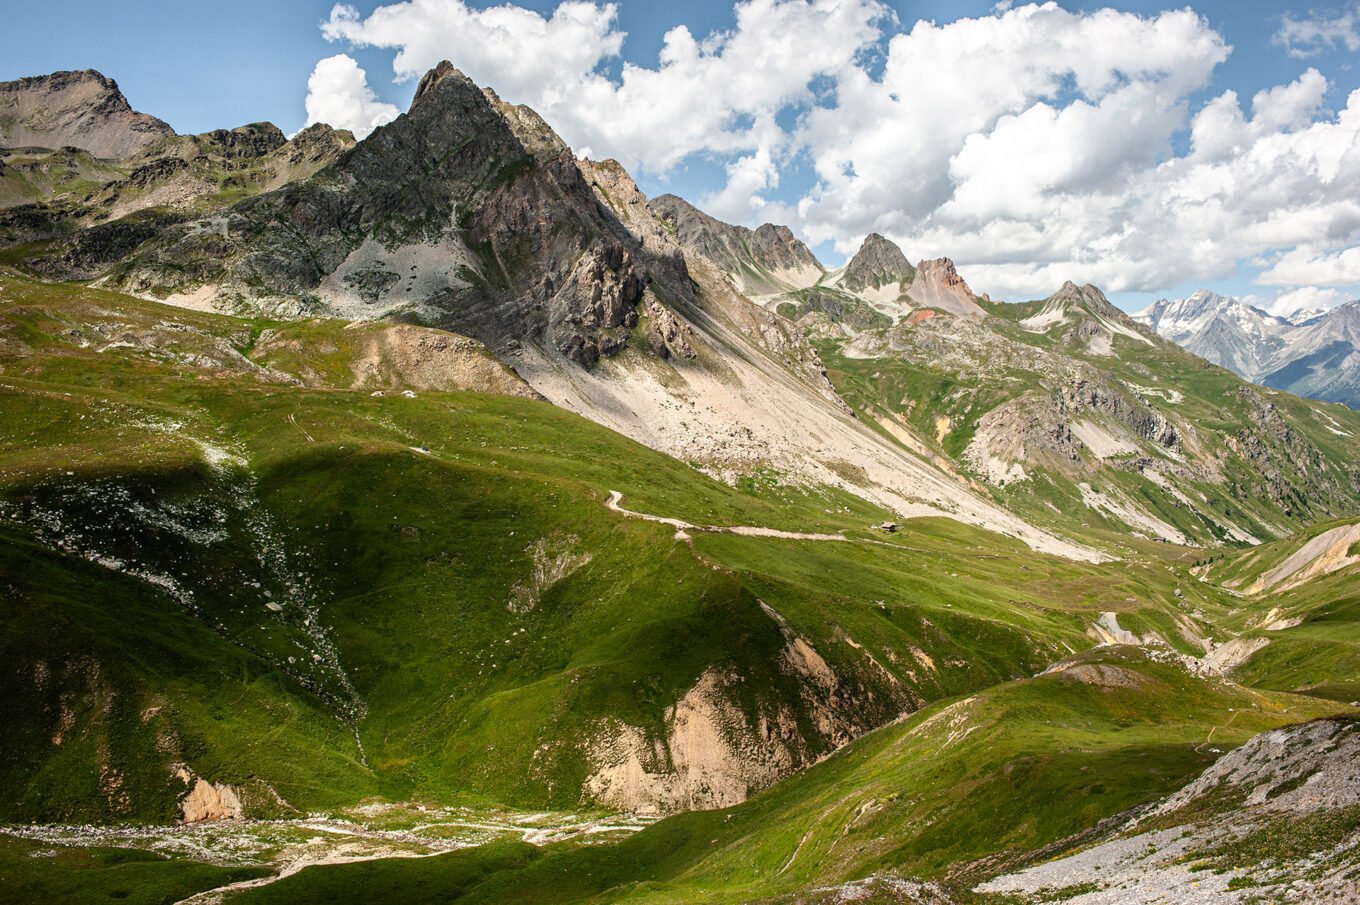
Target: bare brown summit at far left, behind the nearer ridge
81, 110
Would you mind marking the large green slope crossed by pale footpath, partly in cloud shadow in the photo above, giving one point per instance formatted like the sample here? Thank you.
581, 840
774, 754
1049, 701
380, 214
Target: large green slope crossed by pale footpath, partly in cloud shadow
301, 542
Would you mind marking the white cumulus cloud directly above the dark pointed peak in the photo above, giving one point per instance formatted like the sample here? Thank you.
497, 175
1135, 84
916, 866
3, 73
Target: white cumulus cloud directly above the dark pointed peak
719, 95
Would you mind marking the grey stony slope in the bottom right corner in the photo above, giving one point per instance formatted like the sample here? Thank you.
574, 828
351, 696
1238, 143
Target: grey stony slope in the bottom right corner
1278, 820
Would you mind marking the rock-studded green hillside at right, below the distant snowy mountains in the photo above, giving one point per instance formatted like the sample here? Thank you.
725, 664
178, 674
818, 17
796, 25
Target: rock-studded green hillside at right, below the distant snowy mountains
1140, 439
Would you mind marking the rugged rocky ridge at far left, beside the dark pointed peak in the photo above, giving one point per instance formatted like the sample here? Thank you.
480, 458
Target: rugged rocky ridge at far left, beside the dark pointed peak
97, 179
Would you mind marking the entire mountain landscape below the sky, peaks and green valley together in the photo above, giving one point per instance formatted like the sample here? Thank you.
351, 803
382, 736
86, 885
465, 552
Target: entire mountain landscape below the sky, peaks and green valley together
437, 518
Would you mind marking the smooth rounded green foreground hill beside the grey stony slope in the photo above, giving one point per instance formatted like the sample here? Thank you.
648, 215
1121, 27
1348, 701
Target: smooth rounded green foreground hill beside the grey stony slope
989, 776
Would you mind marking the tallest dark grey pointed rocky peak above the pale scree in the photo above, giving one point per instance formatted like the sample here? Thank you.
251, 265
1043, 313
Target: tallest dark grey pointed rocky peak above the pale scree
464, 213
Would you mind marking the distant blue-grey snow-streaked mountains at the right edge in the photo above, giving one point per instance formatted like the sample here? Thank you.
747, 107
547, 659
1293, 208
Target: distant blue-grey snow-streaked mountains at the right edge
1312, 353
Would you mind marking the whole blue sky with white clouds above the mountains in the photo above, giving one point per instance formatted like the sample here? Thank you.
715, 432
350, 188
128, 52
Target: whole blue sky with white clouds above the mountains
822, 164
